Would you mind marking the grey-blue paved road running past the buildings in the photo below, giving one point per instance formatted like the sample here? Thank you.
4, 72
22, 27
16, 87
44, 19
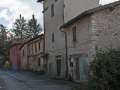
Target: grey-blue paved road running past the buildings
31, 81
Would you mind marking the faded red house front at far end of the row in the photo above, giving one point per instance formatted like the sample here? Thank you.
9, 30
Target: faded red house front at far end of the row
15, 55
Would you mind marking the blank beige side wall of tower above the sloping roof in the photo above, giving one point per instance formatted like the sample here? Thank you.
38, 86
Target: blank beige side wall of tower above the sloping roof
75, 7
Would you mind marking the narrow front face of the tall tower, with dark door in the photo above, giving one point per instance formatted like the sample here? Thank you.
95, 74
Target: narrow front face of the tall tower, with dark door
54, 38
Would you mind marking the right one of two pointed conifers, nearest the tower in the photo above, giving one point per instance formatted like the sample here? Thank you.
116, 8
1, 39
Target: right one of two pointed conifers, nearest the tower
34, 27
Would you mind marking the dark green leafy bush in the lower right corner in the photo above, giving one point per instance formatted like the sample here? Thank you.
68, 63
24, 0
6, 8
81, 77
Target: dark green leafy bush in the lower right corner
106, 70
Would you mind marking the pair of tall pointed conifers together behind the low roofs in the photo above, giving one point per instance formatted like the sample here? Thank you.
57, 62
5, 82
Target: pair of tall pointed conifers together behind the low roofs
23, 29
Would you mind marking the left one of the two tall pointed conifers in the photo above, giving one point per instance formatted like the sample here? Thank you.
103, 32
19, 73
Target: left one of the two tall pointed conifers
20, 28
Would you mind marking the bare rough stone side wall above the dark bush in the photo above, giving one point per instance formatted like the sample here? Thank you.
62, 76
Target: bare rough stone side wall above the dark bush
106, 28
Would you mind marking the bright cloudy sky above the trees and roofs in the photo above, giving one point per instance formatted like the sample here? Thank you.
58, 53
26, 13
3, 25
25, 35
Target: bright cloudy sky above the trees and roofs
10, 10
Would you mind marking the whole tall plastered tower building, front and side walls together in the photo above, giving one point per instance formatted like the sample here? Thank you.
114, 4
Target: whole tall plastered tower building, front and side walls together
56, 12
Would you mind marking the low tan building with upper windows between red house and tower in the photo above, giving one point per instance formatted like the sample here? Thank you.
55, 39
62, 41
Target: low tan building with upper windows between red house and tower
32, 54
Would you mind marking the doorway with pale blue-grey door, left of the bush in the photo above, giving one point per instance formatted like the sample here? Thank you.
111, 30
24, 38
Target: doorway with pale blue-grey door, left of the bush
79, 69
